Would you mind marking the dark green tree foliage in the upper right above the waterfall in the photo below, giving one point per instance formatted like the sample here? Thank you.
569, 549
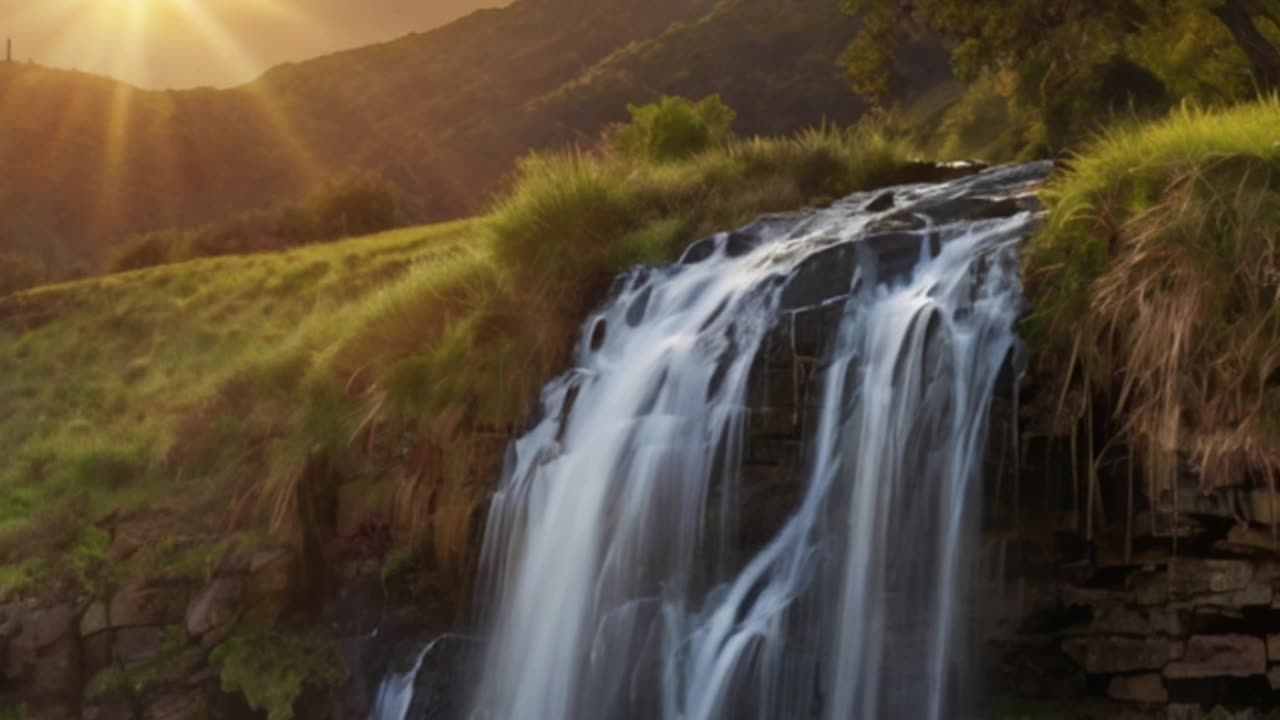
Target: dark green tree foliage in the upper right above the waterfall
1064, 66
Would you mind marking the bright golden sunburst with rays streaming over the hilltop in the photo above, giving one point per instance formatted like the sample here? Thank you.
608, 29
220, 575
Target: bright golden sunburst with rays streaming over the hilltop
132, 40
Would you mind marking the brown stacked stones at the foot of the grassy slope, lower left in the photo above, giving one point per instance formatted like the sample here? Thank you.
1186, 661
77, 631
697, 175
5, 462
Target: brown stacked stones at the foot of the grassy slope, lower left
67, 660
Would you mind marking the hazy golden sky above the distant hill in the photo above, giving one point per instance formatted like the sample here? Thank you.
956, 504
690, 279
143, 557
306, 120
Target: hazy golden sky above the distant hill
190, 43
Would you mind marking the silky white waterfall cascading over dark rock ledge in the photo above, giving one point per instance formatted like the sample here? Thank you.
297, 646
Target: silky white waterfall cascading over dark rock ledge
620, 587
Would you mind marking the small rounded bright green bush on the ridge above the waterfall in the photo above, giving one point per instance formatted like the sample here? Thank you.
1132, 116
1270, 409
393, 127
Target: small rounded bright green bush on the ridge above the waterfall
675, 129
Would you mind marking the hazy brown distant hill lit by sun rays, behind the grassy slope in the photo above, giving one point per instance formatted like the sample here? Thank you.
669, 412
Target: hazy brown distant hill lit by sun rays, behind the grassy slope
444, 115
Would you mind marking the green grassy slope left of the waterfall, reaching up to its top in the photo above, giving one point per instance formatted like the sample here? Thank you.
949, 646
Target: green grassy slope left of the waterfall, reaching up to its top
232, 394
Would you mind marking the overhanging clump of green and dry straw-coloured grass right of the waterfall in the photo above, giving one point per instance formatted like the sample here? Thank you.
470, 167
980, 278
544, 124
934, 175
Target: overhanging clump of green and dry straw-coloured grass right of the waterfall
1155, 290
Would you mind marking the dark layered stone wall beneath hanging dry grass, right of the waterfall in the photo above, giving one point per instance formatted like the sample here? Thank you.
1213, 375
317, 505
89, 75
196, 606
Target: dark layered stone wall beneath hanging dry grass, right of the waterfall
1169, 608
